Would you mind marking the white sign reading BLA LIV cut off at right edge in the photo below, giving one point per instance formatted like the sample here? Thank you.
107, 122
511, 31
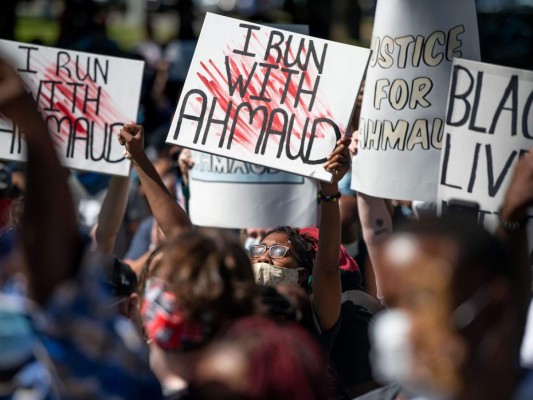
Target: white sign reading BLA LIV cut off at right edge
489, 125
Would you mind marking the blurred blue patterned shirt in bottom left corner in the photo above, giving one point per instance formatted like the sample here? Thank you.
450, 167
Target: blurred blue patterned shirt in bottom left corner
84, 349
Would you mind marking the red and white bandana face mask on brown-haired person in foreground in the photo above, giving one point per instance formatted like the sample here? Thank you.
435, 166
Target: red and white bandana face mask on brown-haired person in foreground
165, 323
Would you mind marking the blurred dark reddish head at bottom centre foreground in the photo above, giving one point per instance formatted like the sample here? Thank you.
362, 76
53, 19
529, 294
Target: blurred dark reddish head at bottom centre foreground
261, 360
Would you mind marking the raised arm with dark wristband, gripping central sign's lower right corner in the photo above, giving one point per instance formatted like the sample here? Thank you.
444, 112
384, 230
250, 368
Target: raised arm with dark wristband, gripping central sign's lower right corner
326, 274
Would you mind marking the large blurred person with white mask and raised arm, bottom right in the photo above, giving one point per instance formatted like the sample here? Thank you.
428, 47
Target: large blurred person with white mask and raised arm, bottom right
457, 300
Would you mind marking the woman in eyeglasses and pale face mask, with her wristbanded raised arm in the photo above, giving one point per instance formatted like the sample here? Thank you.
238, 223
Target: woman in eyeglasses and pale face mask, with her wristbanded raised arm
288, 257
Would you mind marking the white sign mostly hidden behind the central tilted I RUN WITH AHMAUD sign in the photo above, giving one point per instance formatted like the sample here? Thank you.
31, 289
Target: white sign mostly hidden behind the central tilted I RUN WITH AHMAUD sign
227, 193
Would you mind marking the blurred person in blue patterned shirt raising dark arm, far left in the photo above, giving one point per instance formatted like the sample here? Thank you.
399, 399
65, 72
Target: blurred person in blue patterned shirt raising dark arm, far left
62, 340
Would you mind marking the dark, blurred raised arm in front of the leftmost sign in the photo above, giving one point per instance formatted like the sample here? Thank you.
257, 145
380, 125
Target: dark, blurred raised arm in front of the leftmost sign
50, 237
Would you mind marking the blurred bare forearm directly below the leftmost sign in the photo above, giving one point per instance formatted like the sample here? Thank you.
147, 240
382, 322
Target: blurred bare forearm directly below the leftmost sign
111, 214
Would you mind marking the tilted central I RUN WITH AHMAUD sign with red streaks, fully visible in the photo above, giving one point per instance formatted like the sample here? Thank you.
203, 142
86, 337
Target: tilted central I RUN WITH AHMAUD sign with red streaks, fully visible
267, 96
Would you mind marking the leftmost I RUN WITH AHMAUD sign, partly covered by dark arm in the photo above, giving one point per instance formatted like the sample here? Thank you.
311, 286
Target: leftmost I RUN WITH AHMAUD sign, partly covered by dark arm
84, 98
